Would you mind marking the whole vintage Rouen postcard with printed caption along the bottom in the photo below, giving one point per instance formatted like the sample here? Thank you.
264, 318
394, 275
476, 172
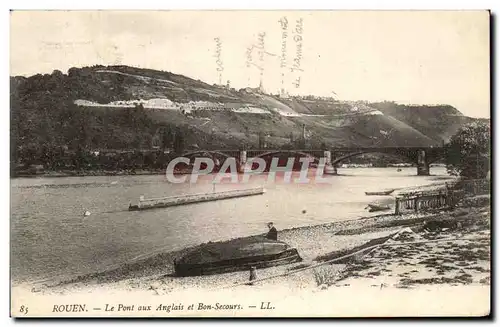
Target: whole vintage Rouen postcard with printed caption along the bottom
250, 163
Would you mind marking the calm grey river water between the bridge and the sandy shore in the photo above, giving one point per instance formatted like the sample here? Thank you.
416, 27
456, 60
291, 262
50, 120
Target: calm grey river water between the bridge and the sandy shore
51, 237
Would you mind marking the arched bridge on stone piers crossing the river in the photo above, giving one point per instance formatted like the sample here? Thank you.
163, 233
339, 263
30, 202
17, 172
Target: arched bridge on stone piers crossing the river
422, 157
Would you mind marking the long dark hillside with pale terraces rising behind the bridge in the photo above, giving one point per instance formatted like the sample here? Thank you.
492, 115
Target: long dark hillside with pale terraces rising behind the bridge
44, 115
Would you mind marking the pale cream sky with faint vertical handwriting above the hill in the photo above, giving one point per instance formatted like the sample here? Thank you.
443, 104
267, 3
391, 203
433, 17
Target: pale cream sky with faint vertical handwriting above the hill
412, 57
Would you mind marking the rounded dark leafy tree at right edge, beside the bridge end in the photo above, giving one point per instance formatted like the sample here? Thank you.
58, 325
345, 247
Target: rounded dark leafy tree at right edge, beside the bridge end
468, 152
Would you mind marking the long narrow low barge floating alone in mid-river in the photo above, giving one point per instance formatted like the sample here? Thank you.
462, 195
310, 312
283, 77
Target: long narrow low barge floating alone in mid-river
170, 201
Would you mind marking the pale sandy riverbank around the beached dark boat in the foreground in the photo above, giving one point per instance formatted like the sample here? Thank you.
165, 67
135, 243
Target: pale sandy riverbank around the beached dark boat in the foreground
405, 266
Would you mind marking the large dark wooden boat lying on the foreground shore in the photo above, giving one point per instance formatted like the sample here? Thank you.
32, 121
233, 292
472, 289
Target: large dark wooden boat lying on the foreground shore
235, 255
